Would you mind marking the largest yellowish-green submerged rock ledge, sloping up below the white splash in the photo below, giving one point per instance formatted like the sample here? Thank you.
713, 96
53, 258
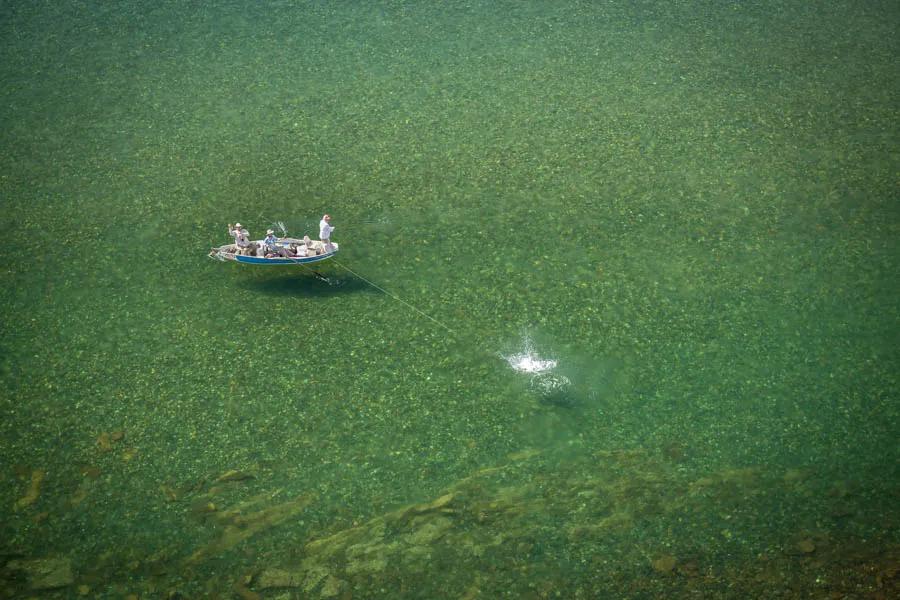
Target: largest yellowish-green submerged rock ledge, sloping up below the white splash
511, 513
